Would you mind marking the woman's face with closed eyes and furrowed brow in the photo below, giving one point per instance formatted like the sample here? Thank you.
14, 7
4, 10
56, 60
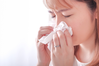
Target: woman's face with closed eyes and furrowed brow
79, 18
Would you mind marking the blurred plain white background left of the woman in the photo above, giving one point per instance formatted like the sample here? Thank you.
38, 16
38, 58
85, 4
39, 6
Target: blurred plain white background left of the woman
19, 23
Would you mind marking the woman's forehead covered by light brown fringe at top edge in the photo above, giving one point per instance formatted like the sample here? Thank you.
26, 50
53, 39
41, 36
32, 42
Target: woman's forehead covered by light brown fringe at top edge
58, 4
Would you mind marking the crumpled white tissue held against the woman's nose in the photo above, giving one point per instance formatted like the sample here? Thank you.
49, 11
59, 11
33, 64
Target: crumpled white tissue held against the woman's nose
62, 26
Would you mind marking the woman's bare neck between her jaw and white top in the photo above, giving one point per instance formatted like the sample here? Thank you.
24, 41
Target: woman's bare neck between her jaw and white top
85, 52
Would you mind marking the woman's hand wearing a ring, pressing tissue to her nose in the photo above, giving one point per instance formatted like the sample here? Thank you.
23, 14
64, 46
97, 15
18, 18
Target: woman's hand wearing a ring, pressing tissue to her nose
63, 53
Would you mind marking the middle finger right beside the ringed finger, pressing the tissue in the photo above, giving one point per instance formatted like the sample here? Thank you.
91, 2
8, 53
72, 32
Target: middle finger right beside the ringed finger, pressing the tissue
62, 39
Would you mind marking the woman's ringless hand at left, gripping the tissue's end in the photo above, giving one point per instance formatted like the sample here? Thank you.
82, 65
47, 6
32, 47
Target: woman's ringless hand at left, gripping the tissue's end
42, 50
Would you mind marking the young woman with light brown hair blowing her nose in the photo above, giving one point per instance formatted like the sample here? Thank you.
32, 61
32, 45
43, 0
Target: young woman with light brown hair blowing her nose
81, 49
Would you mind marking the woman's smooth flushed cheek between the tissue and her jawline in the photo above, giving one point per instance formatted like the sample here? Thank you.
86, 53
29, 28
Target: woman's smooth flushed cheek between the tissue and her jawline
82, 29
